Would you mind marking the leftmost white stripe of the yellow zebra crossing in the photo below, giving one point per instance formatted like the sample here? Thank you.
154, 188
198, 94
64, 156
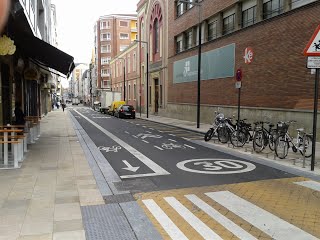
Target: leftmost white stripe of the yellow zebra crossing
172, 230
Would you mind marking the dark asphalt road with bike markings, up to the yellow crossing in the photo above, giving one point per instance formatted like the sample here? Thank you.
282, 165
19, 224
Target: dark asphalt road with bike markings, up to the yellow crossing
163, 157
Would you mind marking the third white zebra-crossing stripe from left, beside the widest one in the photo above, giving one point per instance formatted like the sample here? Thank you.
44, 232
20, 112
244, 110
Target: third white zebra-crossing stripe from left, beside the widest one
228, 224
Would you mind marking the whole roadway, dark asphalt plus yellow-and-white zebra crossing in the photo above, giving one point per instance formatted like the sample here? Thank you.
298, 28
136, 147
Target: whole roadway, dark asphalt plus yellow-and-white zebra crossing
191, 191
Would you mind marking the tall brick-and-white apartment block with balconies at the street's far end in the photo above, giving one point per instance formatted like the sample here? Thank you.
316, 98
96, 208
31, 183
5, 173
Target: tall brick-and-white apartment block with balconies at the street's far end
113, 34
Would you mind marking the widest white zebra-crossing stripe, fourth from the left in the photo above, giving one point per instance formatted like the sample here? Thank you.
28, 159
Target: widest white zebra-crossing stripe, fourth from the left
272, 225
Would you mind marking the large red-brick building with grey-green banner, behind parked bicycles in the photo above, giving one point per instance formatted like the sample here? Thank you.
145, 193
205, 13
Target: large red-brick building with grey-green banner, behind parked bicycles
276, 83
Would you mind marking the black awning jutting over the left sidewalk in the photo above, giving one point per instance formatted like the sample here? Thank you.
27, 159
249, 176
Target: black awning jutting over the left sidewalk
44, 53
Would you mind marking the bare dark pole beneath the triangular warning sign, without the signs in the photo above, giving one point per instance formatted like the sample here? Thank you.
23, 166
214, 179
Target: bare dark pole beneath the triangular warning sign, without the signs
315, 114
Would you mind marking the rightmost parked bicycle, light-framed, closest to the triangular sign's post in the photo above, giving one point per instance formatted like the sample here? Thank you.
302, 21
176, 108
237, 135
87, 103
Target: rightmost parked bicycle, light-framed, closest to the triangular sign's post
284, 140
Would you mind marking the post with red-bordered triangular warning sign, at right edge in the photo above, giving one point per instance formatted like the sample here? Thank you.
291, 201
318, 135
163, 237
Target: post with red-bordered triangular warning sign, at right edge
312, 50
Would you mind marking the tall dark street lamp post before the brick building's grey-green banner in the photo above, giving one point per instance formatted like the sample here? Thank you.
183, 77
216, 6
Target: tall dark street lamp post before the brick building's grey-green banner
199, 58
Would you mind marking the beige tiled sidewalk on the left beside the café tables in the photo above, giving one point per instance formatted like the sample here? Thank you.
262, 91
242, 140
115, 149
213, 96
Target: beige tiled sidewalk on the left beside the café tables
43, 199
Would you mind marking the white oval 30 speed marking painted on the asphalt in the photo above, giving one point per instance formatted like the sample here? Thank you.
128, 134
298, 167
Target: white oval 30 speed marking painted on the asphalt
216, 166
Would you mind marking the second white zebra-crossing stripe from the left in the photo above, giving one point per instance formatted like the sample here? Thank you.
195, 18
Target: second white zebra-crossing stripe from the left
195, 222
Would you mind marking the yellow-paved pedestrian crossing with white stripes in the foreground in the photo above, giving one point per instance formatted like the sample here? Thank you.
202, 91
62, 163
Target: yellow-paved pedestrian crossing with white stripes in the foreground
285, 208
